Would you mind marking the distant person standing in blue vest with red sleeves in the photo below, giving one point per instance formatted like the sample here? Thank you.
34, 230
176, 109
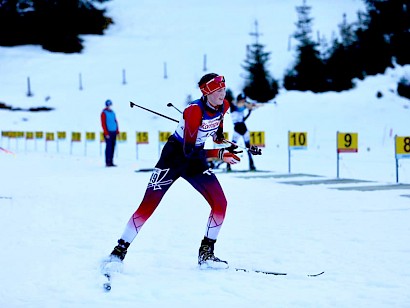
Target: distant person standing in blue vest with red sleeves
110, 127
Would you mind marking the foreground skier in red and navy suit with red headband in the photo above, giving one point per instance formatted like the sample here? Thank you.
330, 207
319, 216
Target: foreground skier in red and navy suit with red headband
184, 156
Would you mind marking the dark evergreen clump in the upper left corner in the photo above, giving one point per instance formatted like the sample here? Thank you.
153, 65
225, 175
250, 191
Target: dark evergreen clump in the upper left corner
53, 24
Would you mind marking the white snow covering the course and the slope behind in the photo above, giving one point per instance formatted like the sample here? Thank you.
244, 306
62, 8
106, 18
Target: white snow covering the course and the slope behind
61, 213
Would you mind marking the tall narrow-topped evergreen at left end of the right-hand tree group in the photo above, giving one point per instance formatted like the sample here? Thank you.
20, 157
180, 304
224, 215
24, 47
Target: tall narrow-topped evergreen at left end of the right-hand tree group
308, 71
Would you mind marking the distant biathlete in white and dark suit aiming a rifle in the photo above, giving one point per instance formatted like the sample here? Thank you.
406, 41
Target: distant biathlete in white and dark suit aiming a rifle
240, 130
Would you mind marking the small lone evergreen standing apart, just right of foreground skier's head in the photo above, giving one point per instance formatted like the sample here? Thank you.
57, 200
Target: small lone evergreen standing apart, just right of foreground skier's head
259, 85
